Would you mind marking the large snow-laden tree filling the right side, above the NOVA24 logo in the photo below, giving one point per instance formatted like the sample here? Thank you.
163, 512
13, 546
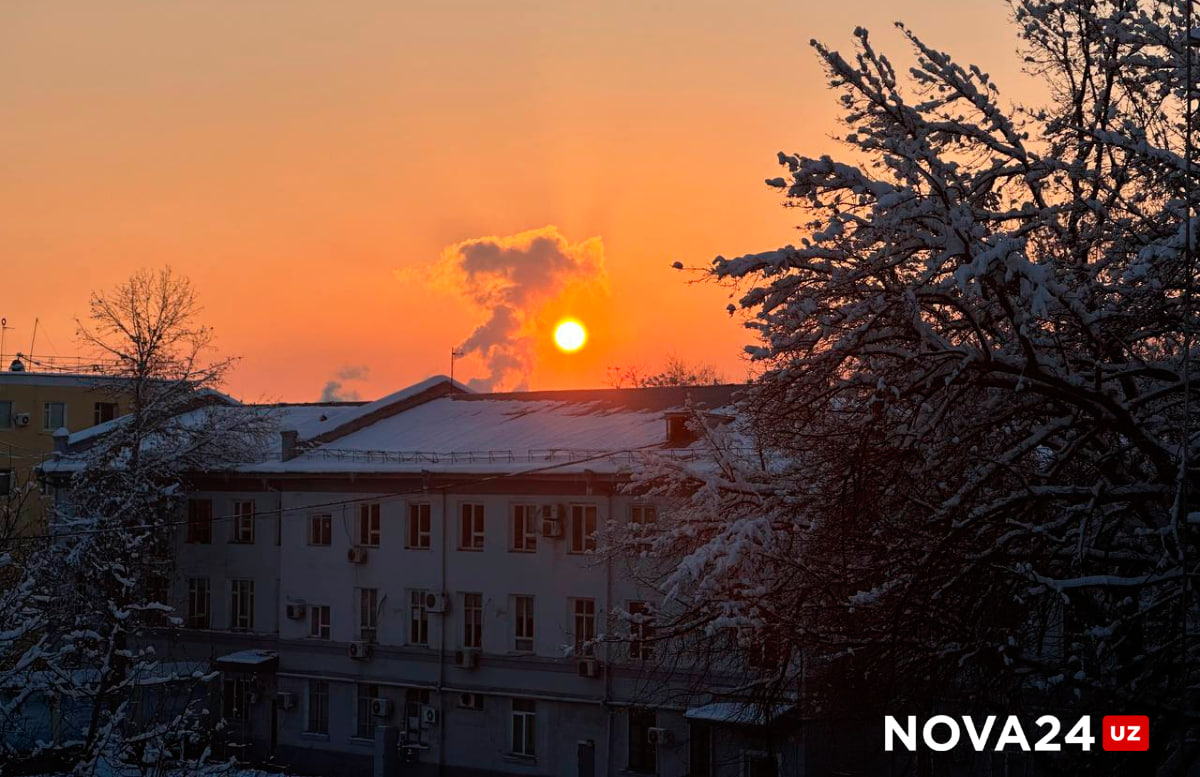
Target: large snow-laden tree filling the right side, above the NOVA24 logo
974, 415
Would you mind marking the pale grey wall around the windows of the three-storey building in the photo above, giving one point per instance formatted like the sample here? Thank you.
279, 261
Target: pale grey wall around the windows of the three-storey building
569, 709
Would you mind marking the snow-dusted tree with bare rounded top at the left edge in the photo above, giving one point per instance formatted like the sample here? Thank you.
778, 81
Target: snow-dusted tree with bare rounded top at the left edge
81, 646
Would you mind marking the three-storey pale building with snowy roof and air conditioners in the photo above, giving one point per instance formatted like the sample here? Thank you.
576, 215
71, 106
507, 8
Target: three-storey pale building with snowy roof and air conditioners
412, 586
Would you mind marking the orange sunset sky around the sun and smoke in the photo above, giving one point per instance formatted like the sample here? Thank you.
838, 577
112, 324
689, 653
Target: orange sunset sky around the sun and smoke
320, 168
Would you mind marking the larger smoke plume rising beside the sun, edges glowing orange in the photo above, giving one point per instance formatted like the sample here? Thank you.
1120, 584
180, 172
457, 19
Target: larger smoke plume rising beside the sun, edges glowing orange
512, 280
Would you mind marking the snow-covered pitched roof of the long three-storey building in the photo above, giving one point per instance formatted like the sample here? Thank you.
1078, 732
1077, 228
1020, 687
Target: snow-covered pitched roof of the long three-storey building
439, 425
